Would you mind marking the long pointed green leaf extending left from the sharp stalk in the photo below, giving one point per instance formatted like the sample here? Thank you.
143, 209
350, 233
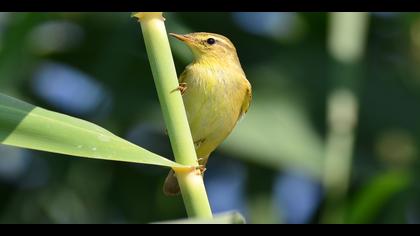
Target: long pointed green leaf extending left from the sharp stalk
27, 126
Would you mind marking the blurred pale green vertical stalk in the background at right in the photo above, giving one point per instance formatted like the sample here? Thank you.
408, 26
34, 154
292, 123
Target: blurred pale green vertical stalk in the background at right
346, 44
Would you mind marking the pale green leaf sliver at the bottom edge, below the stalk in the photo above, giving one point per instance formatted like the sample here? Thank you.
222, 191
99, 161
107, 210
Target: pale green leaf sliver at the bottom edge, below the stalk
223, 218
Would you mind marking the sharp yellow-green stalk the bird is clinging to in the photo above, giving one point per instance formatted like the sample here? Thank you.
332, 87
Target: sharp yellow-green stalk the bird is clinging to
165, 77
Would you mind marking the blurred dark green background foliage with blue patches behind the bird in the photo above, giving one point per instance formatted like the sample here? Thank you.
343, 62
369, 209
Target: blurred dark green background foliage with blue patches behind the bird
332, 134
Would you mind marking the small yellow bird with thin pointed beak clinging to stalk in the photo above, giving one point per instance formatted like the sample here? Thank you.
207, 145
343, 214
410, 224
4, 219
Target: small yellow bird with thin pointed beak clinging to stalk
216, 94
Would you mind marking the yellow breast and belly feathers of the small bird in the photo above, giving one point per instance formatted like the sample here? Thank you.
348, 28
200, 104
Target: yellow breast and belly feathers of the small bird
213, 100
